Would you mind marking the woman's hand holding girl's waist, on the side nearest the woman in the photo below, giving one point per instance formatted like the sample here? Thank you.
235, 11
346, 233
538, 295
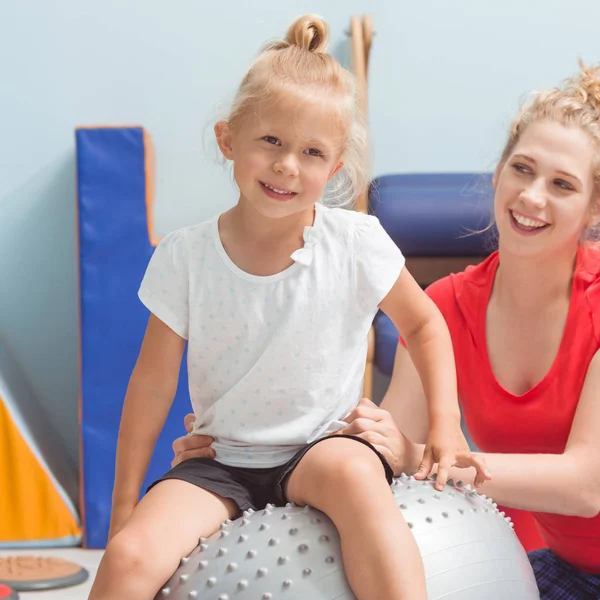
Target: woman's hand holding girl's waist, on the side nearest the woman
377, 427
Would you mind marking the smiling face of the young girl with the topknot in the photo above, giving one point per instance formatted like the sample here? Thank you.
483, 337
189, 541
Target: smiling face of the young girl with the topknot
284, 154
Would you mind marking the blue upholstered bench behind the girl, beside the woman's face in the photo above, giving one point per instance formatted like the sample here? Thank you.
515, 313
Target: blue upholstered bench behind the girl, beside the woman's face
437, 220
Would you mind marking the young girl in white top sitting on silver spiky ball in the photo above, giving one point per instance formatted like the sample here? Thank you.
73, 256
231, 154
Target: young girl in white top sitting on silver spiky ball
275, 299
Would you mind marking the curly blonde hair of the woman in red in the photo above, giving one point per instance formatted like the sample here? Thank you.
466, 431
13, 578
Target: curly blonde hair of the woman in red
576, 103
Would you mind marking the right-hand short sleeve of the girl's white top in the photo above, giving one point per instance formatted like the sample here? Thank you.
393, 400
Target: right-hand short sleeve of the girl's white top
378, 261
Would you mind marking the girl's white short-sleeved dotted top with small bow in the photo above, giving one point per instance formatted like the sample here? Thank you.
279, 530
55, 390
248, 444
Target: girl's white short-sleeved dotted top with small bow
273, 362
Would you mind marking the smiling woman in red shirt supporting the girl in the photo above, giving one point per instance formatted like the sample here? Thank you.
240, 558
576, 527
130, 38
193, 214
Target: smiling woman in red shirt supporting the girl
525, 326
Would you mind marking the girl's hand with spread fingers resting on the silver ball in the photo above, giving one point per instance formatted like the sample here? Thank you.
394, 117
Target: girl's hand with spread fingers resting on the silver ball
448, 448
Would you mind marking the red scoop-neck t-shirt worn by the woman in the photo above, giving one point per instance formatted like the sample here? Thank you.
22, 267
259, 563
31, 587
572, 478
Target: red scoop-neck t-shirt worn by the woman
540, 420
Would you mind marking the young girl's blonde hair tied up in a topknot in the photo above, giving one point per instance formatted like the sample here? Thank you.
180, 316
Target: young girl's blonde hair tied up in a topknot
300, 63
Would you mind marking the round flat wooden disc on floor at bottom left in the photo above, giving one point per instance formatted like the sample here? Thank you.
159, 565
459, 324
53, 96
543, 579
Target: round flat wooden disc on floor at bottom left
27, 573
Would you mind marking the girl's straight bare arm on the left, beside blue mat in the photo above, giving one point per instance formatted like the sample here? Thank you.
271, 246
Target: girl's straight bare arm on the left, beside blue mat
149, 396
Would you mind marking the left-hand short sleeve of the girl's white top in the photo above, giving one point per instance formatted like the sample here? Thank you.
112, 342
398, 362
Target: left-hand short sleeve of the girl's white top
165, 287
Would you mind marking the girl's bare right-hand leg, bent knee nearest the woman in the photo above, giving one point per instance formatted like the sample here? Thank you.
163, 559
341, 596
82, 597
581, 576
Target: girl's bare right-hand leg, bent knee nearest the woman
345, 479
